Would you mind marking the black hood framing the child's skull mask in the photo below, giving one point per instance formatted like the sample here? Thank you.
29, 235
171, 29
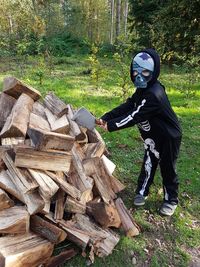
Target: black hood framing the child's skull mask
152, 52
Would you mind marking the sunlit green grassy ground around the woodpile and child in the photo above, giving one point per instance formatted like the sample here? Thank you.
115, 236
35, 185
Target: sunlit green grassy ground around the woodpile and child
163, 241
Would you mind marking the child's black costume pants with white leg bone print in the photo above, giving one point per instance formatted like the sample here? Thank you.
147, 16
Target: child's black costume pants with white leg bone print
165, 155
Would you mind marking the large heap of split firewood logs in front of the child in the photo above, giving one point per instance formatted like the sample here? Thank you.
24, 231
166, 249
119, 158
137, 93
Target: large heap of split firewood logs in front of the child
56, 182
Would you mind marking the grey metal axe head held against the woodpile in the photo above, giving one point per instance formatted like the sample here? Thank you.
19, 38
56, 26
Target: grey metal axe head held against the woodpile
84, 118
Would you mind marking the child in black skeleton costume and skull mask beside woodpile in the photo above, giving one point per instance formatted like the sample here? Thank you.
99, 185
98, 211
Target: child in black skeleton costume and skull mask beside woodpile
150, 109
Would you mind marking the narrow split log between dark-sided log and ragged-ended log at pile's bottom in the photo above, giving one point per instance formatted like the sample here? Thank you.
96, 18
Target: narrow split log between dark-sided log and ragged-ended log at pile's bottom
74, 234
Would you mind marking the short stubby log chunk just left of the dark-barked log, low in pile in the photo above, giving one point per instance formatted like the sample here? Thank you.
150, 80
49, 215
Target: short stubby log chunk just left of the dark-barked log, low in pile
74, 206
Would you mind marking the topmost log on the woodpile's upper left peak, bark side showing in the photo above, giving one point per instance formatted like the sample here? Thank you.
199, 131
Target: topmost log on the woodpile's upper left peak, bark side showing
15, 88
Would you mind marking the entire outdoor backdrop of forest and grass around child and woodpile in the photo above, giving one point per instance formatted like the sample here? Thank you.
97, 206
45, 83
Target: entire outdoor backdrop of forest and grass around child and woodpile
81, 50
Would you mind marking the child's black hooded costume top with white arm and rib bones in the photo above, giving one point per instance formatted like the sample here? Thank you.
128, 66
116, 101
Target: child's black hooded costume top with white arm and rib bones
149, 108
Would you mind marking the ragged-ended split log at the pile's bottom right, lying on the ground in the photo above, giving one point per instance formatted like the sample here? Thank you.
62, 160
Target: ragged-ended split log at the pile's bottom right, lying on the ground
103, 241
